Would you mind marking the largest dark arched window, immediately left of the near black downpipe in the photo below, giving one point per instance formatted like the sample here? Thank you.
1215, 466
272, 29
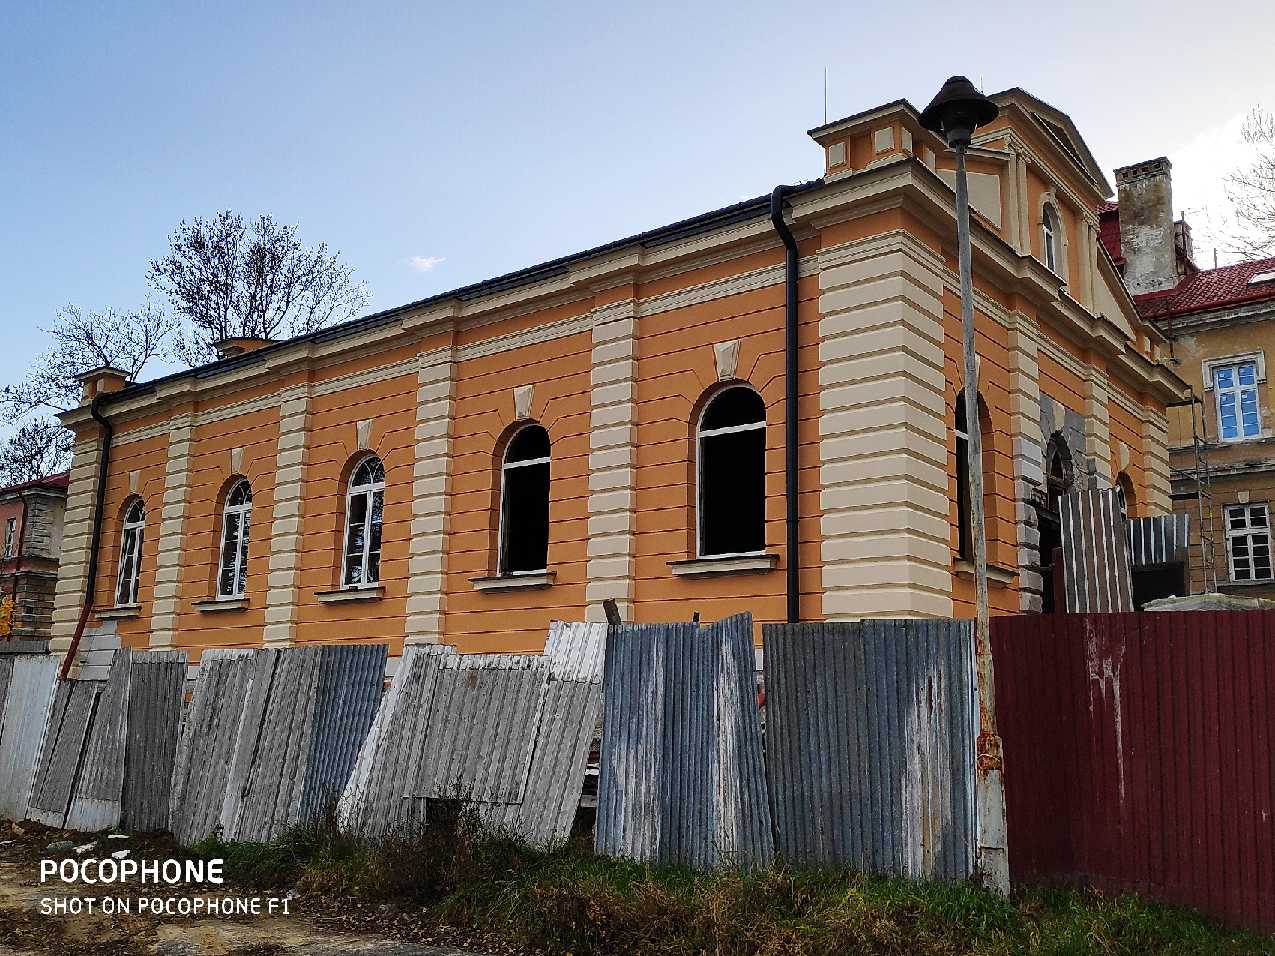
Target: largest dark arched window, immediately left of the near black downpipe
732, 475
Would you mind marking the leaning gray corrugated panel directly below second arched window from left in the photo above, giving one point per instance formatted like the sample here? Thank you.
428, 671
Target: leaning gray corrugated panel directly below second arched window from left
207, 746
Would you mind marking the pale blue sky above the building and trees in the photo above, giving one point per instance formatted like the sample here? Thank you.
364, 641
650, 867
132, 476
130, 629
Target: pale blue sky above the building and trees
441, 145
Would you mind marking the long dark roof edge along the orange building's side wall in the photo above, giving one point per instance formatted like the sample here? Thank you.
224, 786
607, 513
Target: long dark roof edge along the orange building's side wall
651, 239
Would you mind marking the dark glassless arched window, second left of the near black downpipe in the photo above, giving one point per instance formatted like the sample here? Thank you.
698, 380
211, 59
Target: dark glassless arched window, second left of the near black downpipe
525, 503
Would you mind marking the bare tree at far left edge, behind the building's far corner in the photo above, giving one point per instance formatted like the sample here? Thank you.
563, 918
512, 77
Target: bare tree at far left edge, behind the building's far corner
81, 341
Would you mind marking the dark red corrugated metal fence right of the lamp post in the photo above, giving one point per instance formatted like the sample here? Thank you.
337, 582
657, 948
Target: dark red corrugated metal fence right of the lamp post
1139, 755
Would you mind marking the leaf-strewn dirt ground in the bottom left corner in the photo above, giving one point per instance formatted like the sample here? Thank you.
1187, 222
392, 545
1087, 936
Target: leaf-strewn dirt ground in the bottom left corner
314, 927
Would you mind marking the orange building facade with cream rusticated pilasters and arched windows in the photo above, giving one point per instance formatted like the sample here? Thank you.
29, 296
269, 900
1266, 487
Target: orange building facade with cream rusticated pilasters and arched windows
620, 354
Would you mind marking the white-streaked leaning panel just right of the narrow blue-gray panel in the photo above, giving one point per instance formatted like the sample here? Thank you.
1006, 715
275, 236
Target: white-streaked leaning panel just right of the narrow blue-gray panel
375, 801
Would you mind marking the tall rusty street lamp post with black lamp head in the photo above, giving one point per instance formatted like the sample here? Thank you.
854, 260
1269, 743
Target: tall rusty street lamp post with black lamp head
954, 114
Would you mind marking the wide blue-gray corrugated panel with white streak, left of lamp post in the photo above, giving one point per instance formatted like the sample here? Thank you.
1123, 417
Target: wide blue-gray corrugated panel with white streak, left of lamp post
870, 745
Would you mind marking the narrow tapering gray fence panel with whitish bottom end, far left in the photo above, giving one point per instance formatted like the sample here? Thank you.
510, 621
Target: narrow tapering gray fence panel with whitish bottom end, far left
98, 800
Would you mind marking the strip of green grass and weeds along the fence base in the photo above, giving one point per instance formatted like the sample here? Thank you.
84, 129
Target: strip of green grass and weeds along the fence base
568, 901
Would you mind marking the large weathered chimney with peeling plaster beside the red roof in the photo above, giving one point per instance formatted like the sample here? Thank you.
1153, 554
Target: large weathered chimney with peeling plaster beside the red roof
1147, 231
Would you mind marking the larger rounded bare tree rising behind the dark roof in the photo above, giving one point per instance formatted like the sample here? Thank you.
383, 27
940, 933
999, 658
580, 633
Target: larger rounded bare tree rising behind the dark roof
229, 279
